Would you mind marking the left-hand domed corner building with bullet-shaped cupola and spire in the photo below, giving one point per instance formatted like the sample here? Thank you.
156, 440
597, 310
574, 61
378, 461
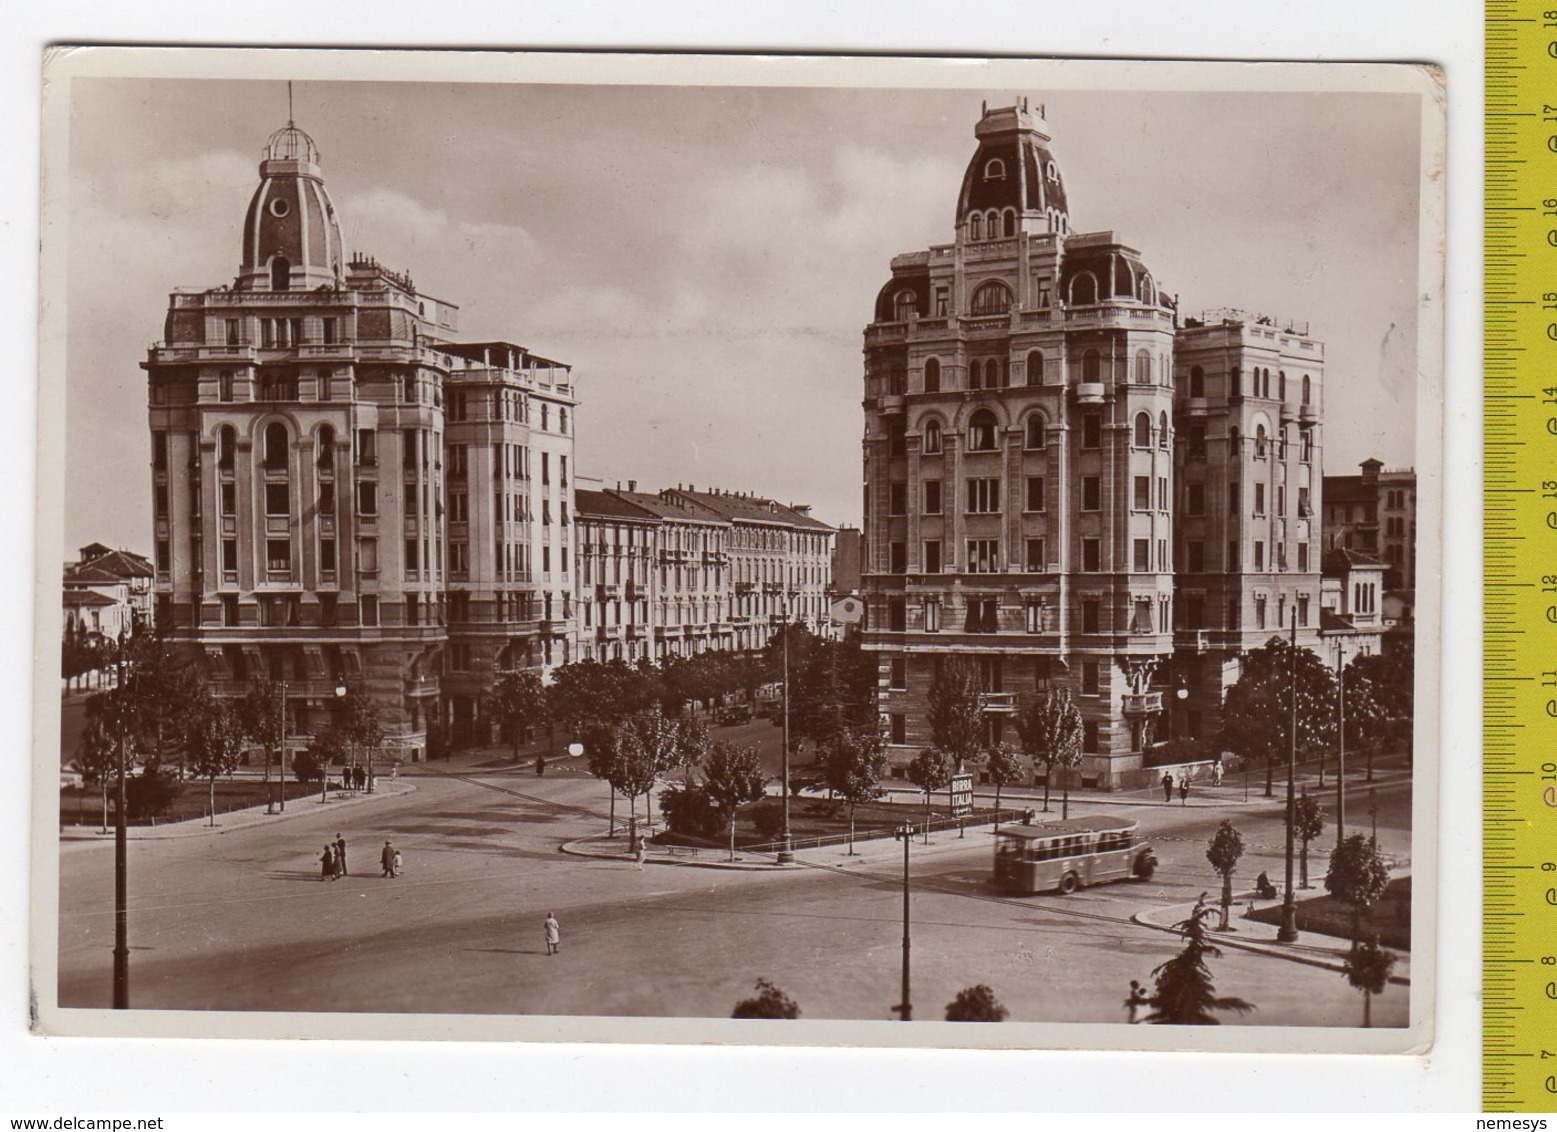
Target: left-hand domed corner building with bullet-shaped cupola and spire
343, 490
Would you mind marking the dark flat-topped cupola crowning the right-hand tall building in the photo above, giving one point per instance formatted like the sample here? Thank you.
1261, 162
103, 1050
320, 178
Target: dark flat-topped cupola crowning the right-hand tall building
1013, 183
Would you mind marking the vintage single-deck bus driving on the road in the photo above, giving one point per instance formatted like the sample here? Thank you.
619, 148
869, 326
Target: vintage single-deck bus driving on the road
1061, 857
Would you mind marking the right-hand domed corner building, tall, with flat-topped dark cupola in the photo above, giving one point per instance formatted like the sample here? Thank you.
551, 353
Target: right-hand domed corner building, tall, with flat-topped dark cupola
1070, 483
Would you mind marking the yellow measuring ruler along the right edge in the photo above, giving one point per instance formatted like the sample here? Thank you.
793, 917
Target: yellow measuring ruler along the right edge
1520, 566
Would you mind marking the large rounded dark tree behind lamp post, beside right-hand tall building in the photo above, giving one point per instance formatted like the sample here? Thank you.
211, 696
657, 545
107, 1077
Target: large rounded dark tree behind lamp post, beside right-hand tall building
1257, 714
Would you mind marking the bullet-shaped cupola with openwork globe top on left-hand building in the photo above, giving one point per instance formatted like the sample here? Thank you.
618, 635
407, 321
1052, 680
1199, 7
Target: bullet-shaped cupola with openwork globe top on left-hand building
292, 237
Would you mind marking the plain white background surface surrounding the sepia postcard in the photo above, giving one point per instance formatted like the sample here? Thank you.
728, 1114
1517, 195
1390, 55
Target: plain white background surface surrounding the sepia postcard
54, 1077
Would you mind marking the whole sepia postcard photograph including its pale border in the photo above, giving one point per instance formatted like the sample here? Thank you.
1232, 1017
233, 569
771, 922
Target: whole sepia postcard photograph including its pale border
648, 549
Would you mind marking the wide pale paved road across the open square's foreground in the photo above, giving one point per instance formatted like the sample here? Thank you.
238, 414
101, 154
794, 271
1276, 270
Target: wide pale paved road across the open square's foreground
241, 921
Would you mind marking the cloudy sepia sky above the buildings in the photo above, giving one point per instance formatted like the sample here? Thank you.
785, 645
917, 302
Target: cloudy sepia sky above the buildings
708, 258
